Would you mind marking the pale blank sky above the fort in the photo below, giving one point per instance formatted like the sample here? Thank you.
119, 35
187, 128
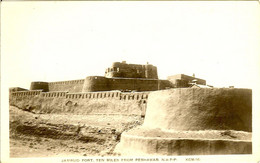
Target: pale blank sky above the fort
54, 41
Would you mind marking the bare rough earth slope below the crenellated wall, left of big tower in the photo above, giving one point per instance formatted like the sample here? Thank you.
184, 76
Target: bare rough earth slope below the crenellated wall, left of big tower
54, 135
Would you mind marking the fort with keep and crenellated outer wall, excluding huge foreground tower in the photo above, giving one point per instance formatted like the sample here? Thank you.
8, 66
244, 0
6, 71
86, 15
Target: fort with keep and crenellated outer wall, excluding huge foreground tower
122, 83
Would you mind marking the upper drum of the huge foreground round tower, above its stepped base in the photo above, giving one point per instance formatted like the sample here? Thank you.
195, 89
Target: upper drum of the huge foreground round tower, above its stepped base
186, 109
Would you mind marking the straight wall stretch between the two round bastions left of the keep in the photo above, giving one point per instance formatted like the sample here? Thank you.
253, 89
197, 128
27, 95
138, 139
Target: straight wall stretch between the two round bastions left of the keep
67, 86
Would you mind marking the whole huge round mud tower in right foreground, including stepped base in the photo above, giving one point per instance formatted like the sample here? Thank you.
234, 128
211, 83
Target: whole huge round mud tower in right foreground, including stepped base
193, 121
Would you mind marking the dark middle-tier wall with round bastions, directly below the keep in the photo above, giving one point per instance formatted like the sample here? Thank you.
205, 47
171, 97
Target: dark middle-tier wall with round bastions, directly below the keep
100, 83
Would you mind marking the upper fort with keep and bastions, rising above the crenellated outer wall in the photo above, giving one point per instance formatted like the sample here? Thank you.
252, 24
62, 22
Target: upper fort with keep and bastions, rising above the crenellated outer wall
120, 76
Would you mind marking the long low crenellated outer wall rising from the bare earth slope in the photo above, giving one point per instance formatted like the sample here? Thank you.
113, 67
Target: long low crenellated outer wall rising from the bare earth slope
112, 102
